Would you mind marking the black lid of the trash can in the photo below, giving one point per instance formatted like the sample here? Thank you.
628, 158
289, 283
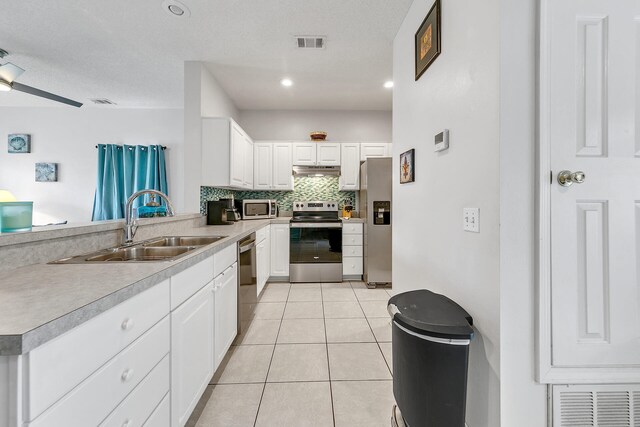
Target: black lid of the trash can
427, 313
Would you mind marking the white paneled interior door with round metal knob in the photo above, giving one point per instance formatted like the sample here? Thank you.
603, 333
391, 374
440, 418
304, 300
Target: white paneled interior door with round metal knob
589, 115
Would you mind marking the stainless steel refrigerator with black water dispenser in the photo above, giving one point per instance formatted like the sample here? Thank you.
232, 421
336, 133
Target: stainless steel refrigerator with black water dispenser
375, 207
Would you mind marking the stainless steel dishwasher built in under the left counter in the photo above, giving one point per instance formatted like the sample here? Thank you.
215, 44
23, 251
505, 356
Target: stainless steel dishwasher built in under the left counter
247, 283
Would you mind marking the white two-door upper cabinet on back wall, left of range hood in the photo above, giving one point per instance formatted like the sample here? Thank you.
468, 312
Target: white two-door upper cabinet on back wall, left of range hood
272, 166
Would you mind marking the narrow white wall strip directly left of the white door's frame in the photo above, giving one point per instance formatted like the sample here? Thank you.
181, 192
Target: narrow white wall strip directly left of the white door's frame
523, 401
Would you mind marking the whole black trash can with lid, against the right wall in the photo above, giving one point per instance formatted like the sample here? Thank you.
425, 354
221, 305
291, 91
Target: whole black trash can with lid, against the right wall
431, 337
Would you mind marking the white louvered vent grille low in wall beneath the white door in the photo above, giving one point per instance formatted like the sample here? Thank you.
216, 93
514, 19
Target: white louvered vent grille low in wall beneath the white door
596, 405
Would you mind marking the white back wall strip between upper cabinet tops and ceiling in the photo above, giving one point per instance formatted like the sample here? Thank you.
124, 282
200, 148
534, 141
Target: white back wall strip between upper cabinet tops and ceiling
296, 124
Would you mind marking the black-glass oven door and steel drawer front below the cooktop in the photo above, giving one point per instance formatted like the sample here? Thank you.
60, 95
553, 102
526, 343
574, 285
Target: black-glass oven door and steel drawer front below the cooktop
315, 252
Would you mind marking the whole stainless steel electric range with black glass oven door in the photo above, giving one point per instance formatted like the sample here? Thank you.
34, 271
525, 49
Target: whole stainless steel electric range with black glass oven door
315, 251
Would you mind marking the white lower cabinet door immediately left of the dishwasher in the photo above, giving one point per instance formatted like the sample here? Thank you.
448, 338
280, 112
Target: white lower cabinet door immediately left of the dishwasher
226, 311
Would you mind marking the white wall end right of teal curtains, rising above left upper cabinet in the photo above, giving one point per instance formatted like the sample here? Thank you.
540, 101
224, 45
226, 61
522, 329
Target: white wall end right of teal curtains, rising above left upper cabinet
203, 97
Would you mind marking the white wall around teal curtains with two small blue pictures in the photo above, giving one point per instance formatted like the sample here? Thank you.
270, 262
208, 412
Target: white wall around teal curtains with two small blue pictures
68, 136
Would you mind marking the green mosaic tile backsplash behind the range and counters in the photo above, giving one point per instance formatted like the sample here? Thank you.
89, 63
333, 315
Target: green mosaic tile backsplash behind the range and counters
305, 189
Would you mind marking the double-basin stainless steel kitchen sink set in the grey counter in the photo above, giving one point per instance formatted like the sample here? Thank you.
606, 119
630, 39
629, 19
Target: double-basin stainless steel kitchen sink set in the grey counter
159, 249
